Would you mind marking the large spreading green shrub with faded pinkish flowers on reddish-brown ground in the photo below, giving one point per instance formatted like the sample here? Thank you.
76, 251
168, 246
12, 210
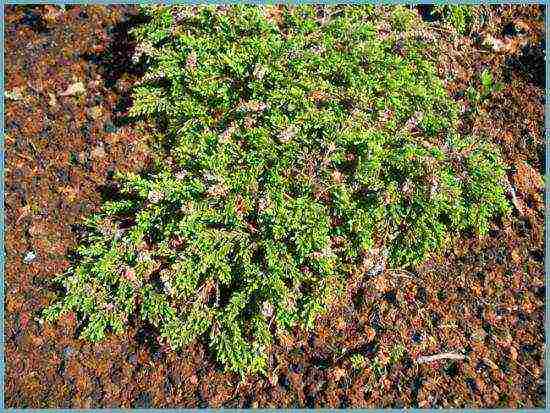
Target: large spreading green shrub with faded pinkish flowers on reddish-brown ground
292, 142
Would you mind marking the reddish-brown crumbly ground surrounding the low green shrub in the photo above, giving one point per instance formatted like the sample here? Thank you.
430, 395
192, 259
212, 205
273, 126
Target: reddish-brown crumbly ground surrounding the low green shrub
68, 75
